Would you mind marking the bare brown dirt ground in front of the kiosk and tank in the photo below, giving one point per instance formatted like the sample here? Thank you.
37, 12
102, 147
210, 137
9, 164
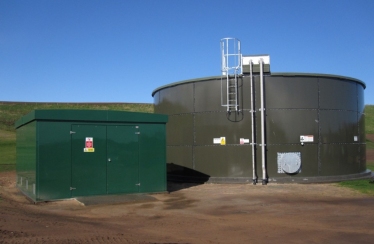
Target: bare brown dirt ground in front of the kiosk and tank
292, 213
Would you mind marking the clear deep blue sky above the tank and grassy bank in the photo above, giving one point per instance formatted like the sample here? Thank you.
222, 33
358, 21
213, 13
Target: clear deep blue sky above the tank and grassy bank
120, 51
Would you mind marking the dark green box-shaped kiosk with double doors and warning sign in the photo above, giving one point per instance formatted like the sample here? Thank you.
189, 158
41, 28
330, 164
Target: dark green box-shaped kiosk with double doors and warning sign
69, 153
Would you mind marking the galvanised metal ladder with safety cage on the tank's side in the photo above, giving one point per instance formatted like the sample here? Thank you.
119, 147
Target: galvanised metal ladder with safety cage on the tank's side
232, 67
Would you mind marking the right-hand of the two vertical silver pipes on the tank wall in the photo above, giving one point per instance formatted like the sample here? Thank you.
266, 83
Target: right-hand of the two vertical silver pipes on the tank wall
263, 145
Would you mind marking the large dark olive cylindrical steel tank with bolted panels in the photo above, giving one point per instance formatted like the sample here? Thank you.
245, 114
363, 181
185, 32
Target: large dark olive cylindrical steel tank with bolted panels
314, 129
